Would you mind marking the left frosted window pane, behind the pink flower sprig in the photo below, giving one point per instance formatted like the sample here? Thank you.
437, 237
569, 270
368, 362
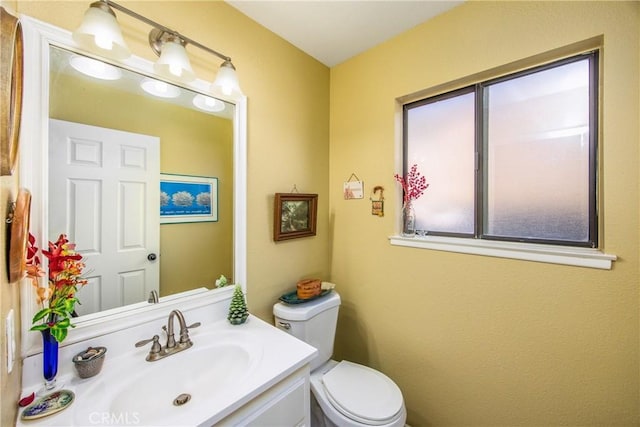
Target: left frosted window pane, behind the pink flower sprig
440, 140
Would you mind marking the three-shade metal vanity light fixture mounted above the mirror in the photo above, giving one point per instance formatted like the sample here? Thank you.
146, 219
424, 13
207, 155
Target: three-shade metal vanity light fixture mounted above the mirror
99, 33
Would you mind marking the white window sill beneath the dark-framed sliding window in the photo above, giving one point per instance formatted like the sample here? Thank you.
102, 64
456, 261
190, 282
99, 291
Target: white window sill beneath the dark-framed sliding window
581, 257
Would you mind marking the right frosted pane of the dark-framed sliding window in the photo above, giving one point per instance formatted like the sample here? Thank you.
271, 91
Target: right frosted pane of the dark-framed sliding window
537, 157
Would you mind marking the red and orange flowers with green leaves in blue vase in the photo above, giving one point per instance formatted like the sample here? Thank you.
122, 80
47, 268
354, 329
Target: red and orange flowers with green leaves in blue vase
58, 298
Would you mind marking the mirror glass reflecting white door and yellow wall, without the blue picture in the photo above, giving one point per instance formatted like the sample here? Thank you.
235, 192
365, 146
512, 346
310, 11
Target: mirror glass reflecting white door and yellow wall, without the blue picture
112, 216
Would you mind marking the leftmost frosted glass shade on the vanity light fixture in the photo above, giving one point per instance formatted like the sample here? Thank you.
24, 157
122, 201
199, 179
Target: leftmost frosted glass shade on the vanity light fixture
99, 33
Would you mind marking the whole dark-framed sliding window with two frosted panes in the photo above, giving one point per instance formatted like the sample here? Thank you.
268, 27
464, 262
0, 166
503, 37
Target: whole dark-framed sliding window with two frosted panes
510, 159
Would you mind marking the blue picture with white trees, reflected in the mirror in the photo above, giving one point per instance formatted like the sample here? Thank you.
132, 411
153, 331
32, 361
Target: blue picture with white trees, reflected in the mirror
188, 198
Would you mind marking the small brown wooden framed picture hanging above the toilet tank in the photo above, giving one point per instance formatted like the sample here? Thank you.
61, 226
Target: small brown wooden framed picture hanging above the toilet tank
295, 215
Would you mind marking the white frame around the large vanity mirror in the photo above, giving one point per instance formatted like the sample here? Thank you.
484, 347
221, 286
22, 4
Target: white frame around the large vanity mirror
38, 37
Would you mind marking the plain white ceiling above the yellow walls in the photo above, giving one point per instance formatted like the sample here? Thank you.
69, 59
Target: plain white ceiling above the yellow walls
333, 31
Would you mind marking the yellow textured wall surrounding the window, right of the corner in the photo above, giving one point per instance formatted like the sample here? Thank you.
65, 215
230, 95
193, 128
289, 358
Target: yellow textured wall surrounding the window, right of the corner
473, 340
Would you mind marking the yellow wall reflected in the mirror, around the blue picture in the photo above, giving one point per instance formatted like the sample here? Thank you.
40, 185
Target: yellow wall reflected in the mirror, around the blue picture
202, 145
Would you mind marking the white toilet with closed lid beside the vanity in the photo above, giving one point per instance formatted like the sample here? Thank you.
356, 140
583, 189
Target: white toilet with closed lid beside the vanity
344, 394
